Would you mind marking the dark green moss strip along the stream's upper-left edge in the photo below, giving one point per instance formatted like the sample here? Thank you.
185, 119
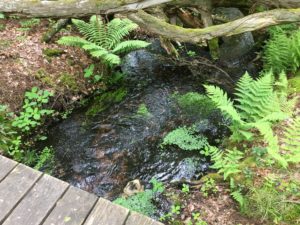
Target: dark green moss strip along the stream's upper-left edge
105, 100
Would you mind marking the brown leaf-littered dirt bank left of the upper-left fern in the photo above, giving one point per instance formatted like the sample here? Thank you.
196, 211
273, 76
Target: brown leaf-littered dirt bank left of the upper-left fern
24, 64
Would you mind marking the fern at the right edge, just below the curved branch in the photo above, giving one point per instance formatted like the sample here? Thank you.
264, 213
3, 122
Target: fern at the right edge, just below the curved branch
282, 52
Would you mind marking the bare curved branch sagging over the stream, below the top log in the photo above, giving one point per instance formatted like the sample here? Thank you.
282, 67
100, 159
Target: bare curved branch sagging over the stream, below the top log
248, 23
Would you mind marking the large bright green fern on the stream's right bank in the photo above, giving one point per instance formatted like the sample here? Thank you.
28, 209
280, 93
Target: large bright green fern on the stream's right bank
258, 107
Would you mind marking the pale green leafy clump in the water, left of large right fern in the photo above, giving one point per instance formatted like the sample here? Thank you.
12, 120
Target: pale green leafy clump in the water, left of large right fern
186, 139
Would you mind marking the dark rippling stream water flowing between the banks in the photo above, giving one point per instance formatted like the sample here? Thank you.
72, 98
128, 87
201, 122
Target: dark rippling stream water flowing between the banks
101, 154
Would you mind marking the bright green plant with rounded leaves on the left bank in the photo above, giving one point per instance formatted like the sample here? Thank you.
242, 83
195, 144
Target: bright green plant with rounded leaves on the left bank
33, 112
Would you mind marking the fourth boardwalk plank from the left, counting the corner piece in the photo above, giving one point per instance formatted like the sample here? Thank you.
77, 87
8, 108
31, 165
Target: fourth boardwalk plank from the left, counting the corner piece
72, 209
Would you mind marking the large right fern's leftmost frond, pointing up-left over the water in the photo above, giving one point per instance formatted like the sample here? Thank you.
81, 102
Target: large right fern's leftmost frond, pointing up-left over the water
220, 98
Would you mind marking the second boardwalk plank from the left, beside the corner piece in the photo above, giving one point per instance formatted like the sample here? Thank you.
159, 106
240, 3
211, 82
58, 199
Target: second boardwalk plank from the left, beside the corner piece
14, 187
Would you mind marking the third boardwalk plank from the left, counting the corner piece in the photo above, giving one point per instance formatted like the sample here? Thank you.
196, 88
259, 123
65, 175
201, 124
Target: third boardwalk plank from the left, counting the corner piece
38, 202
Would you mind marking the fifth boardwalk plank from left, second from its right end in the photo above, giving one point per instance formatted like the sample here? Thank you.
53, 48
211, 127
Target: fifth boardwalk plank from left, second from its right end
105, 213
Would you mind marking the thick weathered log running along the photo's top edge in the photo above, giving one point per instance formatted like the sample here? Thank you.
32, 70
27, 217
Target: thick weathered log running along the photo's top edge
78, 8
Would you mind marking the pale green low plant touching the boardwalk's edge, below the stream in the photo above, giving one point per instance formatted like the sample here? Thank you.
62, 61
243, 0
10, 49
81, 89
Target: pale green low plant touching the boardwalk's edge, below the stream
142, 201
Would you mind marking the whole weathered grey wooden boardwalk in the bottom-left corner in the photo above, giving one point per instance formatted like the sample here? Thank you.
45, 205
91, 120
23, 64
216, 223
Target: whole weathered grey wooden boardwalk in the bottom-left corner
29, 197
